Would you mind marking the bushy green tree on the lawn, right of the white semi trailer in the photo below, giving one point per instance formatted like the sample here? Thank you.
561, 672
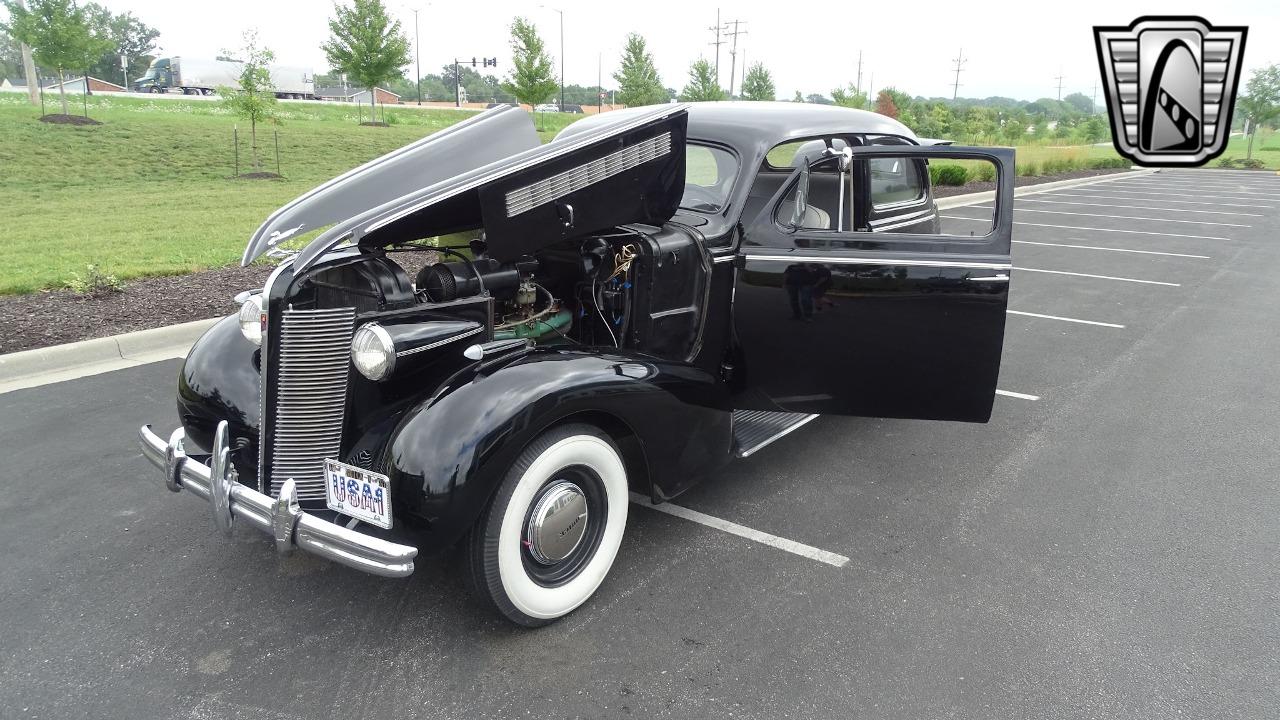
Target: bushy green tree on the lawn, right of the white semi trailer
367, 44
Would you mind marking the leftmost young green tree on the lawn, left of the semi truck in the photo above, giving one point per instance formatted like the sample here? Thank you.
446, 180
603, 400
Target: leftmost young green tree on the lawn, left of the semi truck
60, 35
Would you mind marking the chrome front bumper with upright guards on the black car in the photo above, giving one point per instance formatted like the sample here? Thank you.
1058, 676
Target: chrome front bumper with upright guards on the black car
281, 518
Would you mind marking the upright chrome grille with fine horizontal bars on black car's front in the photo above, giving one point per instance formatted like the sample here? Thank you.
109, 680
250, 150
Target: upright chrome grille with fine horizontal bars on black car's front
313, 364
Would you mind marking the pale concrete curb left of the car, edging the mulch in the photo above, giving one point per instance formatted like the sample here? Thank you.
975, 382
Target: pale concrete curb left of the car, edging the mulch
58, 363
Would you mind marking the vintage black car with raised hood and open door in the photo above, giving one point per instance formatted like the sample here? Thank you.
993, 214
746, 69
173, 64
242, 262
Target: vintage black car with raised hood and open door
646, 298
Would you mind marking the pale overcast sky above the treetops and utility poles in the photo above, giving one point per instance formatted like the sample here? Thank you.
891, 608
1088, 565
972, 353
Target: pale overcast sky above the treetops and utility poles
1012, 49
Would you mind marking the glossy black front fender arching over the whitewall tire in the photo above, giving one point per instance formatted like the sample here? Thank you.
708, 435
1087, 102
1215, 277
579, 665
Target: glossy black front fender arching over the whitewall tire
449, 455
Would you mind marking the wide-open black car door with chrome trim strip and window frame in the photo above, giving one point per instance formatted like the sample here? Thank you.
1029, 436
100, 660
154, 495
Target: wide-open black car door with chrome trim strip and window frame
842, 311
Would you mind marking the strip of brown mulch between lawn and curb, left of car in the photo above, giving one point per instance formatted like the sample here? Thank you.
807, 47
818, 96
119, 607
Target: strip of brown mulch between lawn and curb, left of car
60, 316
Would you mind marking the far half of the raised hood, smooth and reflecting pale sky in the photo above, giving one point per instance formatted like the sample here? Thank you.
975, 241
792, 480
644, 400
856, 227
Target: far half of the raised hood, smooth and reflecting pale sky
481, 140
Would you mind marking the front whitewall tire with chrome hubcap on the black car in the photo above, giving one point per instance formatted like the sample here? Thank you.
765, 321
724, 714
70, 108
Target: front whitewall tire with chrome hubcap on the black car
551, 534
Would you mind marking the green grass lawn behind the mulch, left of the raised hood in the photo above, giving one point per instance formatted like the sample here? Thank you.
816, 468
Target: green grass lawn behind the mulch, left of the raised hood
150, 192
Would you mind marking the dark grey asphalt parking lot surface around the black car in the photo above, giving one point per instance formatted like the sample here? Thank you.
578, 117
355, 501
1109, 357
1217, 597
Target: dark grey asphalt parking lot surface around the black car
1108, 546
